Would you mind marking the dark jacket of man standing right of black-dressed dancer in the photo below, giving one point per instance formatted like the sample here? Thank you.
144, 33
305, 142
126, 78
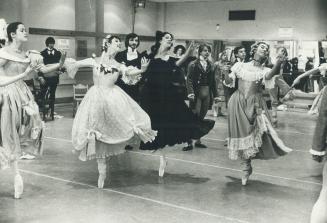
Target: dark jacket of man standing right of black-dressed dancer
194, 73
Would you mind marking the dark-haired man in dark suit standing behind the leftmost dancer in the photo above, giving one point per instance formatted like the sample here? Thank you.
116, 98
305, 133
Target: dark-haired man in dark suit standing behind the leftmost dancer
49, 80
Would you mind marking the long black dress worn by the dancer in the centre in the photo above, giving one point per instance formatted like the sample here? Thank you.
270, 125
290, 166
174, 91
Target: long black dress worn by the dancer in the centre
170, 116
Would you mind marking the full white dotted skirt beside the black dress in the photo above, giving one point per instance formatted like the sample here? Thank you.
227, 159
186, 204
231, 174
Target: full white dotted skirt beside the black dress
106, 121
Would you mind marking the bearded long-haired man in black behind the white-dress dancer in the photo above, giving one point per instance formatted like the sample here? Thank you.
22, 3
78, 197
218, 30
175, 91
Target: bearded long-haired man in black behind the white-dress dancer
130, 57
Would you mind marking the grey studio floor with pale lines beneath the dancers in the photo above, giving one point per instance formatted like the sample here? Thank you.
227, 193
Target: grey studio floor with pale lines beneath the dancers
199, 186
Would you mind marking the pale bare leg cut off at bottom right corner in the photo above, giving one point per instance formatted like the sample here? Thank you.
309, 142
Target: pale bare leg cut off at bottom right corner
319, 214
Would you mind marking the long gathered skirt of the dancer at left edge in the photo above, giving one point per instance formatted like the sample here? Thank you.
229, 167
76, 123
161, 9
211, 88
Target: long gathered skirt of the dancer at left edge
20, 123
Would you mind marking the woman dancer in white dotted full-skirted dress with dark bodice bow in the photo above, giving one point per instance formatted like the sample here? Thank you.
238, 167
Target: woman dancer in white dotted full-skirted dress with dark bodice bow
108, 119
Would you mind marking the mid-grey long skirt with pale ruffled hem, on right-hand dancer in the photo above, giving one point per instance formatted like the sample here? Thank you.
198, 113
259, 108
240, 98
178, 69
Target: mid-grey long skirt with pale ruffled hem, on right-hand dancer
251, 134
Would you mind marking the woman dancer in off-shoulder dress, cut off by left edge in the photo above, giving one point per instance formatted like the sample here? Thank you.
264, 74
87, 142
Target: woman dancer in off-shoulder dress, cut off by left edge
20, 123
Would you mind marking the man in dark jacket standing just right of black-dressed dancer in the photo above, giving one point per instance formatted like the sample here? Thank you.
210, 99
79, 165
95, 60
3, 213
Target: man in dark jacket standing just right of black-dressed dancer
201, 86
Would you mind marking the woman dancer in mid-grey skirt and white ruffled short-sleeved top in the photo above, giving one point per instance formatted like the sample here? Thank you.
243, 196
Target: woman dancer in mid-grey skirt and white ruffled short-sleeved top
251, 134
